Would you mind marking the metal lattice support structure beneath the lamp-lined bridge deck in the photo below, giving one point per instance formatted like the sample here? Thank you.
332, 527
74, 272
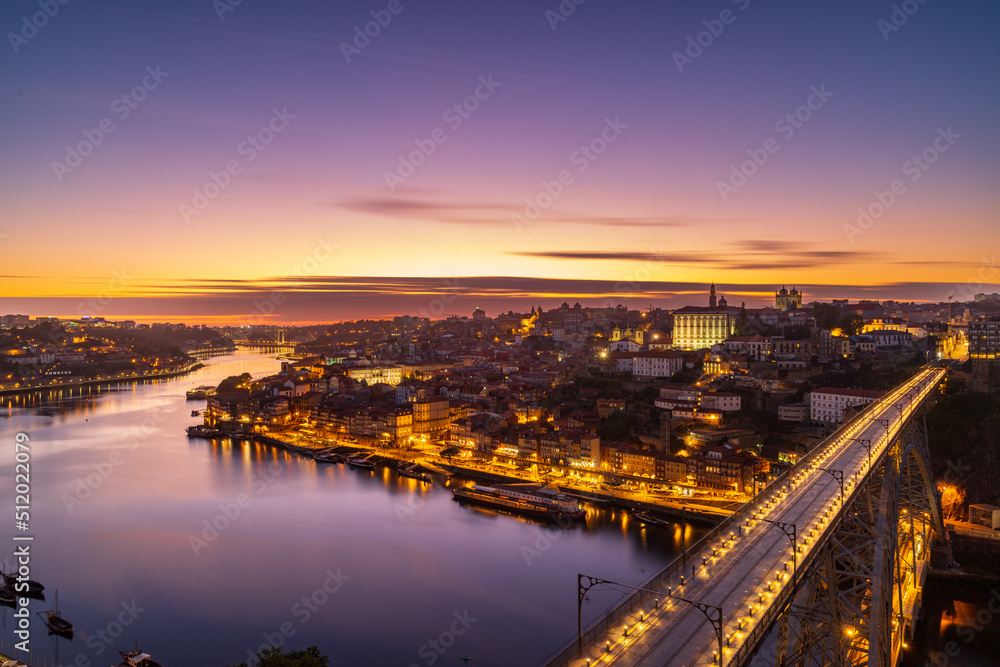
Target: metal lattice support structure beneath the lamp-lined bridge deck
849, 609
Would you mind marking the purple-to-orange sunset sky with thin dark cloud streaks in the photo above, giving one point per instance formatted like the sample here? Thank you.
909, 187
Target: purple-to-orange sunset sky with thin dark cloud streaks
263, 162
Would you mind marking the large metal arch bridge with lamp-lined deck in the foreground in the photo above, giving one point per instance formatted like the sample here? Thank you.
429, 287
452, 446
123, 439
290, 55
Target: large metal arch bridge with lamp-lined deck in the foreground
825, 567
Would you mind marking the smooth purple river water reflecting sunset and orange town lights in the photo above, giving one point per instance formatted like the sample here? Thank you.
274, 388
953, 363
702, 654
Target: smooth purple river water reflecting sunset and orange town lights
122, 500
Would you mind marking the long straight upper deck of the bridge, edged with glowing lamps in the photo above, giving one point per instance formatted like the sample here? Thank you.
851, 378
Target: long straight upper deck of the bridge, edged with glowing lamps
738, 576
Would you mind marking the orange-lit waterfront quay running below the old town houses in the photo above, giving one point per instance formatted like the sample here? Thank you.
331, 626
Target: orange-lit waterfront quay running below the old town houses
687, 511
